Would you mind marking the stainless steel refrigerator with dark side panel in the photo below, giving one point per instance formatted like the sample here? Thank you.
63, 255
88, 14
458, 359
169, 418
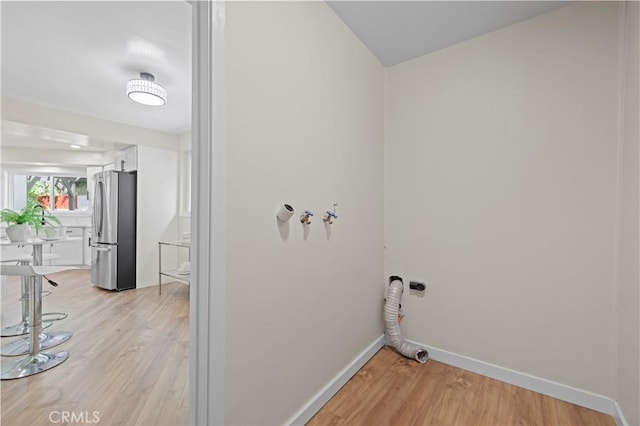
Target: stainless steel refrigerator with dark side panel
113, 231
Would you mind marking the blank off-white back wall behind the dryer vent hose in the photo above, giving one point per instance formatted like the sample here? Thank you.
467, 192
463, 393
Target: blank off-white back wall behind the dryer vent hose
500, 182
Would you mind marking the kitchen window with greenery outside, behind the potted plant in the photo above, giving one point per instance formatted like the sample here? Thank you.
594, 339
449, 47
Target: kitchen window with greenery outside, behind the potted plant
55, 193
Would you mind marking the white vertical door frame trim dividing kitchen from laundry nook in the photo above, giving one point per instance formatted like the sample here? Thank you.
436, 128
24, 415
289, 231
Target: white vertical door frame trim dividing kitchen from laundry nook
207, 290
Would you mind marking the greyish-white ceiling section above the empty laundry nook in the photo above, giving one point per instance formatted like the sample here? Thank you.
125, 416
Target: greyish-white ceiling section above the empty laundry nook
396, 31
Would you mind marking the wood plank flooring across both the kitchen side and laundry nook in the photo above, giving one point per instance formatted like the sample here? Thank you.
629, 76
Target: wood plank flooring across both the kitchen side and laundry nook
129, 360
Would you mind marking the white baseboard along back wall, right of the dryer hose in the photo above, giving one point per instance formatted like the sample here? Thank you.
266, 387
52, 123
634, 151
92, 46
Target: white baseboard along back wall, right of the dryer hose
566, 393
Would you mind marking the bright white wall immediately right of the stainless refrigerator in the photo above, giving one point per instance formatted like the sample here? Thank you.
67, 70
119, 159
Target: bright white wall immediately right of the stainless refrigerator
157, 211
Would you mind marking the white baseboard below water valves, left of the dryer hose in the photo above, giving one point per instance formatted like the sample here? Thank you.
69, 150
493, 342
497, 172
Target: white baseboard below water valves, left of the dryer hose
324, 395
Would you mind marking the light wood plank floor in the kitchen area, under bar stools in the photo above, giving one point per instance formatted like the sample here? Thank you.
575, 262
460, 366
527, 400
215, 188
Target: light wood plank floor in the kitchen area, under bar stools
128, 357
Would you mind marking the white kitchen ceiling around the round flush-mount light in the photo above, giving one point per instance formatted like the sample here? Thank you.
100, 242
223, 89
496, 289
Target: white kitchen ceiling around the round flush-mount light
79, 55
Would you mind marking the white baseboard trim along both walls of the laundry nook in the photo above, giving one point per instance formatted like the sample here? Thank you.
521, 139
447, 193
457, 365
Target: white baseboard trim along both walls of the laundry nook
562, 392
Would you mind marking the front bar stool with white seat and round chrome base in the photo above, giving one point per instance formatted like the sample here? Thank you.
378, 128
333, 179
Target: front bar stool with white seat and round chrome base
37, 360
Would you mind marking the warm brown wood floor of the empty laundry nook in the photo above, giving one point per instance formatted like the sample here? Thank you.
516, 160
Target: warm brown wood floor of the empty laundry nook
393, 390
